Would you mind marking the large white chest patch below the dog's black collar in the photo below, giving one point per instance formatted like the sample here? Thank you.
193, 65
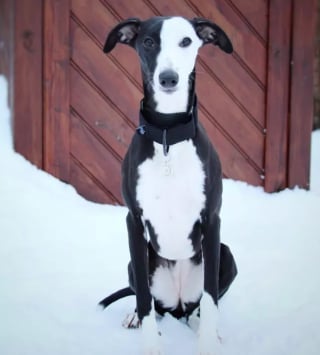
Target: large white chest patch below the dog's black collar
170, 191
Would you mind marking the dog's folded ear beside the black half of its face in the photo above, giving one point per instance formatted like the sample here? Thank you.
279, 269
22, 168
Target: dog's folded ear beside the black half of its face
125, 32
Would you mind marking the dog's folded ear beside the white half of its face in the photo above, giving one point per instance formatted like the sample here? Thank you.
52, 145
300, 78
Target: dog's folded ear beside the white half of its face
209, 32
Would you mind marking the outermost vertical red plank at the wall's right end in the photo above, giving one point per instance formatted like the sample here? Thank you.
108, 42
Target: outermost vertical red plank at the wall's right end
301, 106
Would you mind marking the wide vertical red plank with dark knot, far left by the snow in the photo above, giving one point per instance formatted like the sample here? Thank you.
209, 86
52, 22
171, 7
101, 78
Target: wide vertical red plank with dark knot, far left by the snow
28, 79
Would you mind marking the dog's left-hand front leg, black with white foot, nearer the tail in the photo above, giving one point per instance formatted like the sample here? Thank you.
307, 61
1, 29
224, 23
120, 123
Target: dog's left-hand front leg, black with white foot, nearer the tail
139, 261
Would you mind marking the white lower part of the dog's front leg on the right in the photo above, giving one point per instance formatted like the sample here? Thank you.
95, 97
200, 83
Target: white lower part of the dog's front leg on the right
208, 337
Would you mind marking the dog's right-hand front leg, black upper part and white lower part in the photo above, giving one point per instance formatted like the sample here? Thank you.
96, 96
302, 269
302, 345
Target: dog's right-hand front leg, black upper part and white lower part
208, 336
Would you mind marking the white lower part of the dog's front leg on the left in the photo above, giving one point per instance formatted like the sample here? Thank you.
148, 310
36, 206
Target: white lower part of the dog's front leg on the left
150, 335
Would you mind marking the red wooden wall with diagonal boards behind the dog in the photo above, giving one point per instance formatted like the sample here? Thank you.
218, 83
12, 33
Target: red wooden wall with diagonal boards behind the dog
78, 108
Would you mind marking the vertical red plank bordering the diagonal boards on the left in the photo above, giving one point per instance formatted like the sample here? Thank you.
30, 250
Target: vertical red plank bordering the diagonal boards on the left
56, 88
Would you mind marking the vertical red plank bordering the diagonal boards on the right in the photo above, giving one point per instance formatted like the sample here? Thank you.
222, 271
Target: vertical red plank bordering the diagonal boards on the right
277, 95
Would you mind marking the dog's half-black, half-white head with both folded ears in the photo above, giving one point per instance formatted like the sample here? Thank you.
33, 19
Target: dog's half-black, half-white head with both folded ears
168, 47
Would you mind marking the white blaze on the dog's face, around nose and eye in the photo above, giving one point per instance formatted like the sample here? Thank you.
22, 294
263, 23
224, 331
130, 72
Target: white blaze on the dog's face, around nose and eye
179, 59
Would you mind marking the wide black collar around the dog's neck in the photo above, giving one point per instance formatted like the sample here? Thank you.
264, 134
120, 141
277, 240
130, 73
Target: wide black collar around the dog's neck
168, 129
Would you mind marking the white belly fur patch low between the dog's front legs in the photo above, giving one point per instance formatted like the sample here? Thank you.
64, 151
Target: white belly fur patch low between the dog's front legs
181, 282
